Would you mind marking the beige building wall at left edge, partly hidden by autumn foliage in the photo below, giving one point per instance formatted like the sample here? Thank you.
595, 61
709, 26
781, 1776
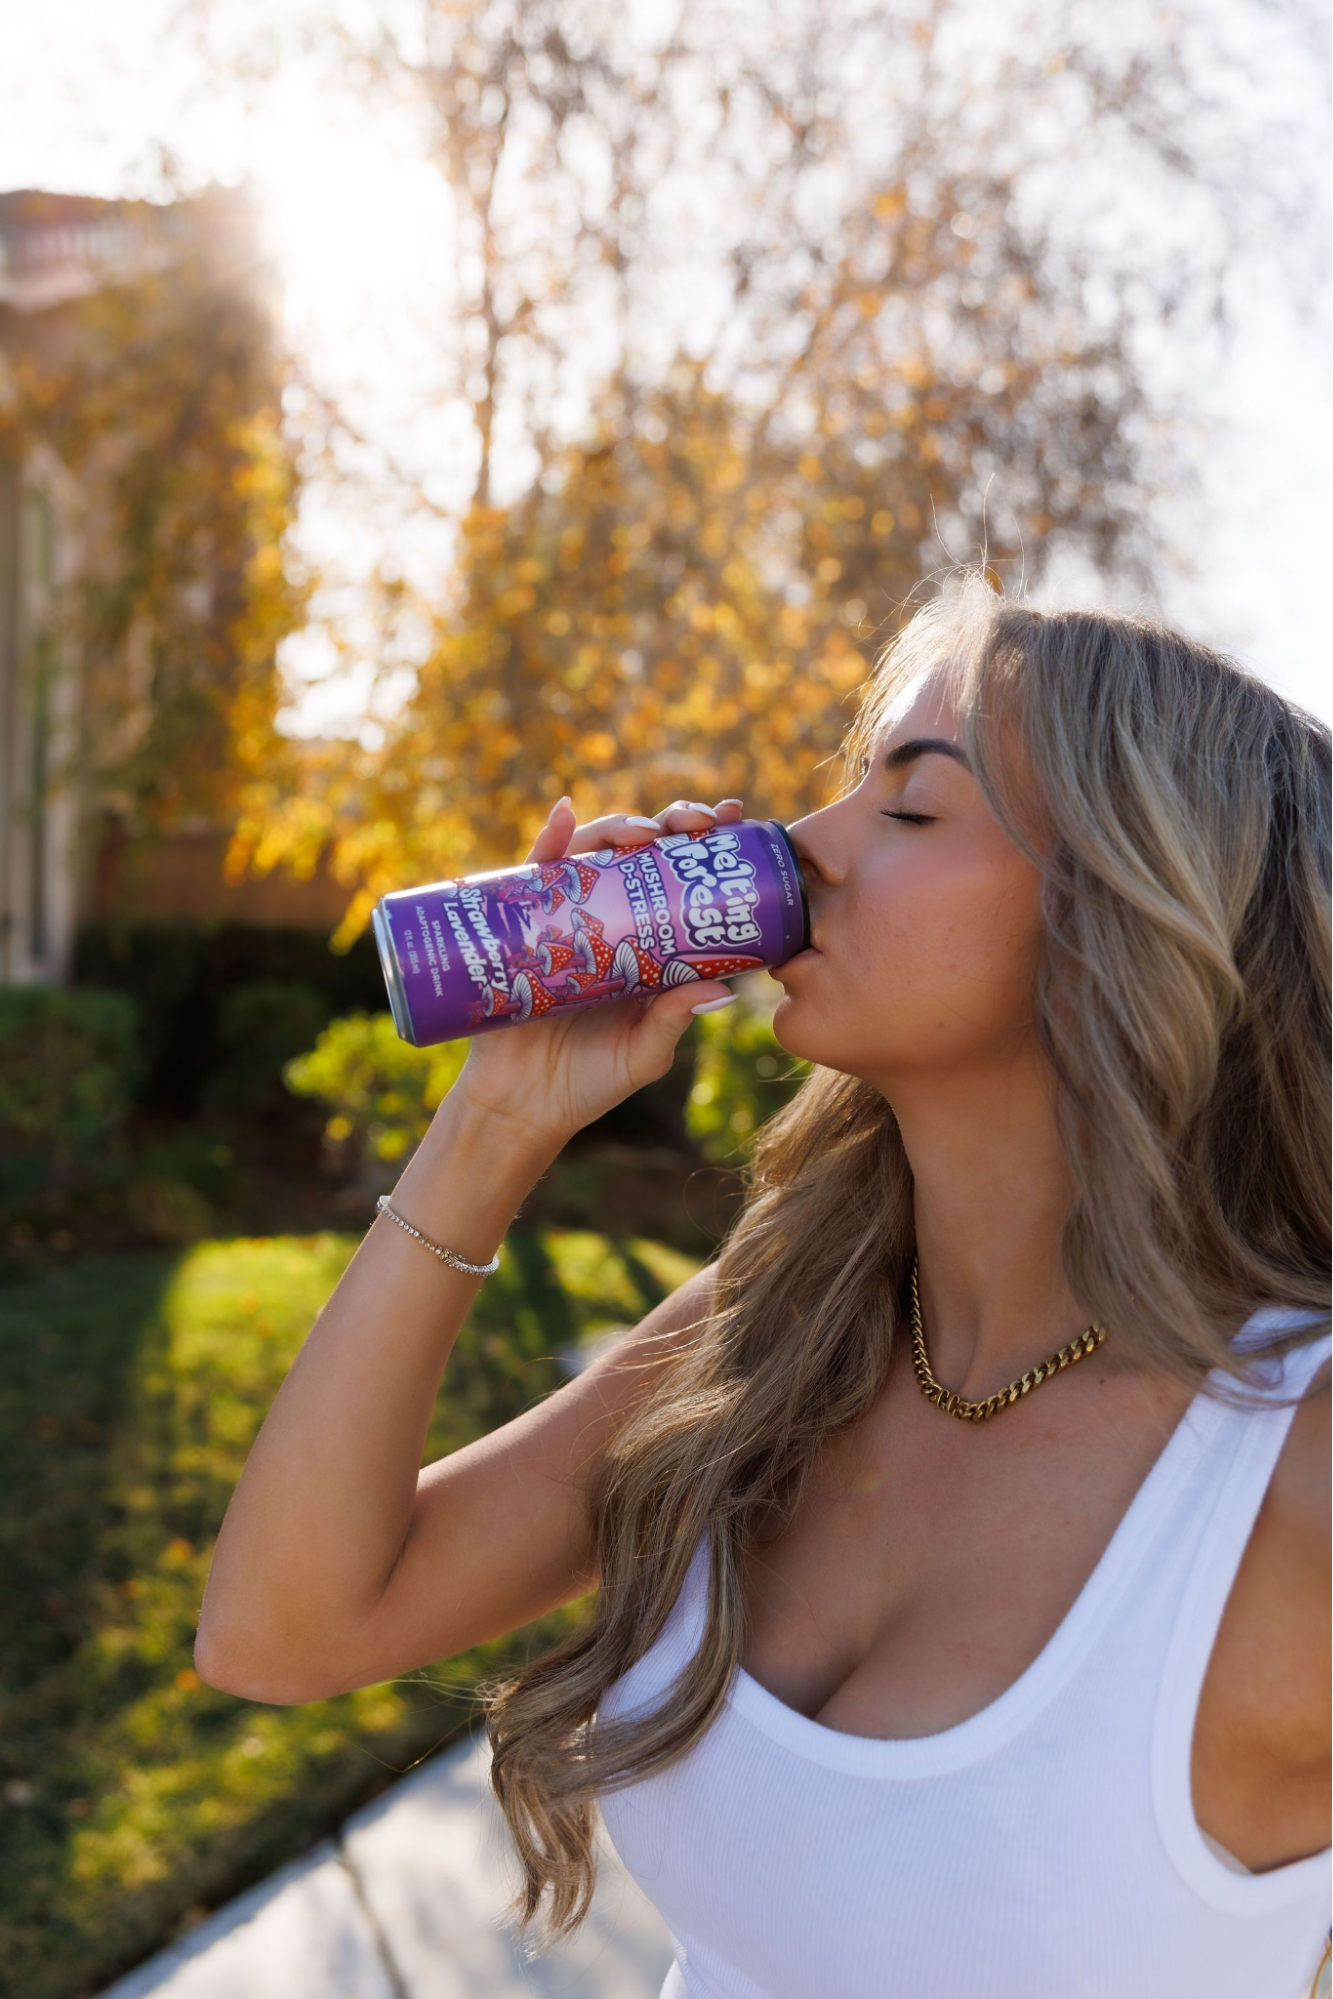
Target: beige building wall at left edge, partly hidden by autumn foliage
65, 855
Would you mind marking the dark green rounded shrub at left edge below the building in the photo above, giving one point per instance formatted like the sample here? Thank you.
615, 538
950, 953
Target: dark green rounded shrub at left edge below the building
69, 1064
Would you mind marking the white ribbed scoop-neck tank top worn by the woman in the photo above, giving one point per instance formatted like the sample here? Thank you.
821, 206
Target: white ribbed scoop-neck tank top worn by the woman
1044, 1848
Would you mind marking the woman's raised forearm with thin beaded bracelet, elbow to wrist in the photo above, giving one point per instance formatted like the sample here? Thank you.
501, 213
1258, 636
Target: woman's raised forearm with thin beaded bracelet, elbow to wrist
325, 1502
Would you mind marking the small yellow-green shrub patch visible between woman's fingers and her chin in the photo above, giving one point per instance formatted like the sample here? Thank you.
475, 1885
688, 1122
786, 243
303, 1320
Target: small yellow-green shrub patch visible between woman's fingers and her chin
742, 1074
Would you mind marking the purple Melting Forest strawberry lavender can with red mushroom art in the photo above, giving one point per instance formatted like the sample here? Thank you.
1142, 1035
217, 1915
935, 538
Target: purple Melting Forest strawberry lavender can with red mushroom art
493, 951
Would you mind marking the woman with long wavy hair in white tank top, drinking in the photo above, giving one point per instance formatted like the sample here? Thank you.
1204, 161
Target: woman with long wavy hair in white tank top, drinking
898, 1684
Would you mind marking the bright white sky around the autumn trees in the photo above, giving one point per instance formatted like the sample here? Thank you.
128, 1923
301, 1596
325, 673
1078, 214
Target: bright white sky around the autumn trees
361, 235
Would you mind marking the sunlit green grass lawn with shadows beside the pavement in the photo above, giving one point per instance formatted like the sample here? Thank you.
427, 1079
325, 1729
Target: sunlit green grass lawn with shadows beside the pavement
135, 1798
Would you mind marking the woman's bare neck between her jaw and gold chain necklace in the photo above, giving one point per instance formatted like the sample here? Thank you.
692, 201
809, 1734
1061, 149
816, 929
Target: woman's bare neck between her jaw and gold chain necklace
990, 1198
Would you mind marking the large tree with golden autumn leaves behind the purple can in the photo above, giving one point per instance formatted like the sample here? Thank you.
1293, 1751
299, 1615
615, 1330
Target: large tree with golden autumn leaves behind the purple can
910, 351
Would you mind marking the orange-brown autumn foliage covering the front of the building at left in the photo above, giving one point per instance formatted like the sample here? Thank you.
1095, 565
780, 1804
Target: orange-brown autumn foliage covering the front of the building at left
161, 393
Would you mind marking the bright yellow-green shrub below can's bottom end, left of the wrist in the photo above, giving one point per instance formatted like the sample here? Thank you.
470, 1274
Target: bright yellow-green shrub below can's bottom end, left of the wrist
383, 1092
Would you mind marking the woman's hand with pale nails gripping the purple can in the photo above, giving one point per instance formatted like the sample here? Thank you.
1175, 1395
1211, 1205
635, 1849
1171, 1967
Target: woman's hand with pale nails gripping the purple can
559, 1074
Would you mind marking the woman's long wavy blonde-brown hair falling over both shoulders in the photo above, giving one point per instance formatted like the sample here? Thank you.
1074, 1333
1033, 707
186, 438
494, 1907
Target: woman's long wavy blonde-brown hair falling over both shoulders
1180, 815
